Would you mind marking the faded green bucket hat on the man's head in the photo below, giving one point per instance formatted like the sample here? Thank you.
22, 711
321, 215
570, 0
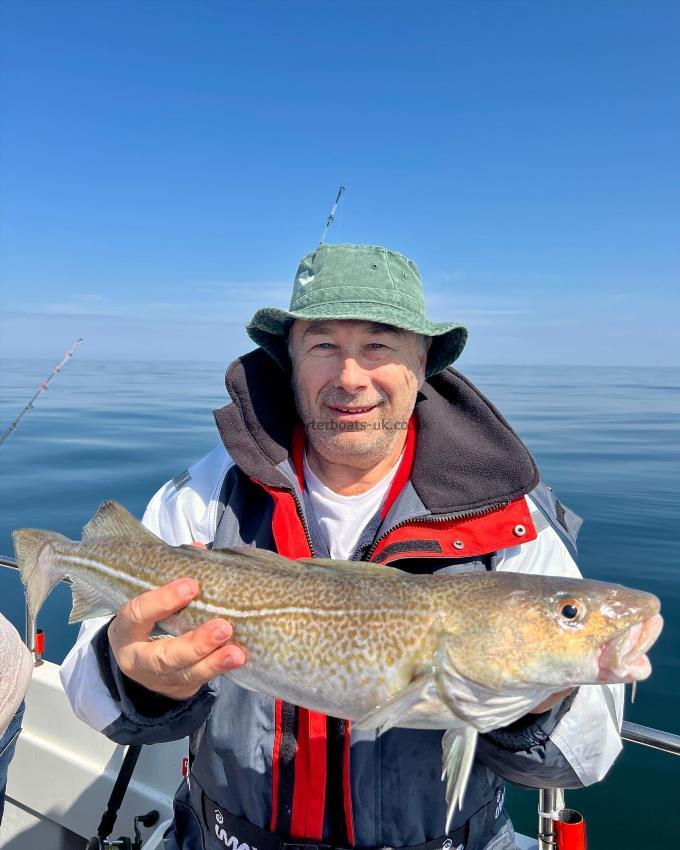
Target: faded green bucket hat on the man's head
364, 282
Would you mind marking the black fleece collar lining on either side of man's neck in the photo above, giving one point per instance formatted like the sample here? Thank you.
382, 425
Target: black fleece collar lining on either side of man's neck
467, 455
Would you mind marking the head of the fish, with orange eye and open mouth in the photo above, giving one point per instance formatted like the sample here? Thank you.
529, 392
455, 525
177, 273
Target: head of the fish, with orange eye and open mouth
551, 632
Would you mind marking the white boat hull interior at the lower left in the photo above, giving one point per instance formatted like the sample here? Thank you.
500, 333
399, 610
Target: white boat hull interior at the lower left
63, 771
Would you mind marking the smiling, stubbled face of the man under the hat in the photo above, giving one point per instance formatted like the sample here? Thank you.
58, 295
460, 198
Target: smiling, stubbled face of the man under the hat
355, 386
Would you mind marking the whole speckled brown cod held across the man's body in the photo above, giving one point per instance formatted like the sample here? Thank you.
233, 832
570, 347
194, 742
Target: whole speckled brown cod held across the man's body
464, 653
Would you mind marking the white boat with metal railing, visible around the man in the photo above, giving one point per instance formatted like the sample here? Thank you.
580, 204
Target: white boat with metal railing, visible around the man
64, 772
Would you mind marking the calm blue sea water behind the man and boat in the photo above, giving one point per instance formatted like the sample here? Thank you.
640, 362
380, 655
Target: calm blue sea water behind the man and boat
608, 440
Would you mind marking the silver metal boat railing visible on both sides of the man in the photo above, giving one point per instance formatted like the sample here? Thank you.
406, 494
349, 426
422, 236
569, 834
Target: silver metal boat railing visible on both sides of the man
551, 800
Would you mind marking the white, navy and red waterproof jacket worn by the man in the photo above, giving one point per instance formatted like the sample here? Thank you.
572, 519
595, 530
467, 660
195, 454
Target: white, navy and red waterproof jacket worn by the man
459, 502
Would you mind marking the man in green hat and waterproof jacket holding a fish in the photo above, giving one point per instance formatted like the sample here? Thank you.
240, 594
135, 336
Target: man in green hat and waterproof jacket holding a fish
347, 437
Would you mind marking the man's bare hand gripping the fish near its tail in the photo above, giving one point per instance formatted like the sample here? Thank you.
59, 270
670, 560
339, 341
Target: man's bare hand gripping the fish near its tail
175, 667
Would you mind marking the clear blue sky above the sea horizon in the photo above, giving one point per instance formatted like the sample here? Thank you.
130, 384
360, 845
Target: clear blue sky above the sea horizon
166, 164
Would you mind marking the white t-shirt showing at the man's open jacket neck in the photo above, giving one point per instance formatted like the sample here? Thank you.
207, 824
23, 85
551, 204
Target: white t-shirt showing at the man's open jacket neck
343, 518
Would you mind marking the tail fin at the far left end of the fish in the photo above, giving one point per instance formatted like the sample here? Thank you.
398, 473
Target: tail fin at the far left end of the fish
39, 571
